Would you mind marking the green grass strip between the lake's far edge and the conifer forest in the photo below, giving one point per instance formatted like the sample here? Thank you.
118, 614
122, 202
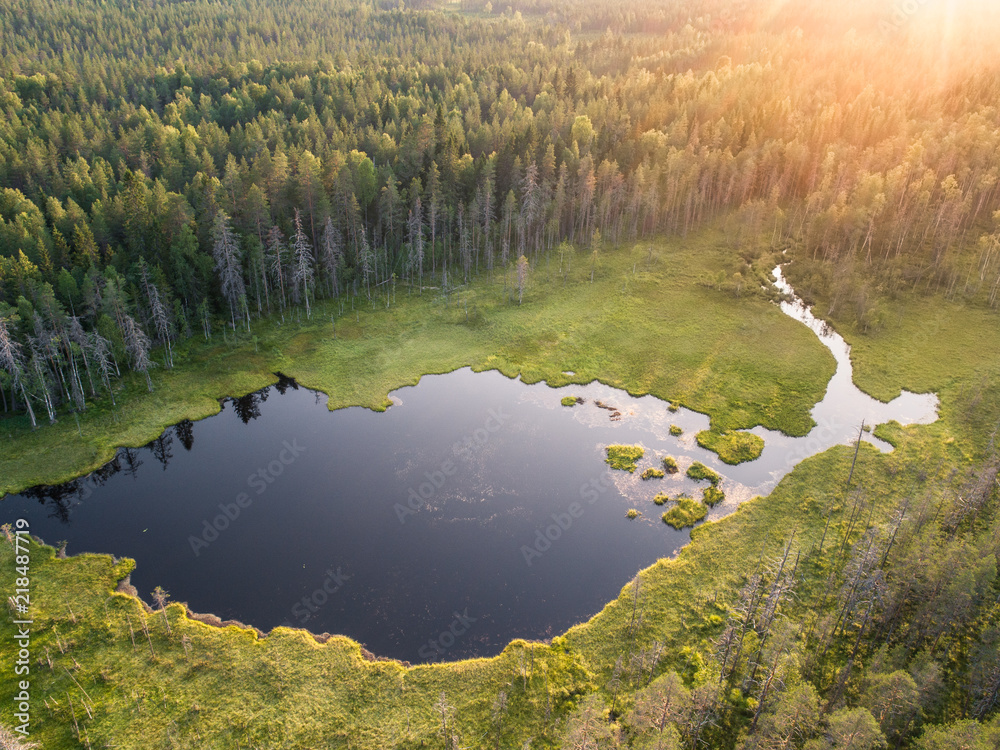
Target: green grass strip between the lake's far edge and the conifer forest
738, 360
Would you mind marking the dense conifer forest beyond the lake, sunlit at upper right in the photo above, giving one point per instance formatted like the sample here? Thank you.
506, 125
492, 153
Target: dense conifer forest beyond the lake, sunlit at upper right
200, 164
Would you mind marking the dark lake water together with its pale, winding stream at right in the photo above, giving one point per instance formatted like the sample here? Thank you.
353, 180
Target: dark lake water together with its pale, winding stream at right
475, 510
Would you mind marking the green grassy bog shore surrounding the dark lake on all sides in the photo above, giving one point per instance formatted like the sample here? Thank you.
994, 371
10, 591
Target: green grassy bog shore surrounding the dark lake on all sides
212, 687
